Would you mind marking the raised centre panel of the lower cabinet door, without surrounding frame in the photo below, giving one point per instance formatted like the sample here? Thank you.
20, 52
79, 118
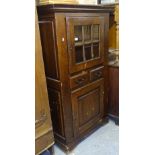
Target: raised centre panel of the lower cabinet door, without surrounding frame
88, 106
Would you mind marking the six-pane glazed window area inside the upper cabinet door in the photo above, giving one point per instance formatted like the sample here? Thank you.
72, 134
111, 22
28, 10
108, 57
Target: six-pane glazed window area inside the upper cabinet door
87, 42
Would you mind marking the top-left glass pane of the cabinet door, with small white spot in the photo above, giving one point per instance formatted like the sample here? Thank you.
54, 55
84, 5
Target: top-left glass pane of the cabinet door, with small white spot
78, 33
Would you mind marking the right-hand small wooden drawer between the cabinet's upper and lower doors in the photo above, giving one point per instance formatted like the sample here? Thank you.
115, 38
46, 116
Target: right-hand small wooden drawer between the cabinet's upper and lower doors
96, 73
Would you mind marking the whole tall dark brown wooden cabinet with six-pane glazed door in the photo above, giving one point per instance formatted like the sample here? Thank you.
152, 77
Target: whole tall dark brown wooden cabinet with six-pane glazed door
75, 45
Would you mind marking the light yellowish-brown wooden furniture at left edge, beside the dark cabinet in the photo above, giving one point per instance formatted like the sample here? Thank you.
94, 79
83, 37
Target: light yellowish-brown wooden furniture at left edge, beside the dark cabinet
43, 128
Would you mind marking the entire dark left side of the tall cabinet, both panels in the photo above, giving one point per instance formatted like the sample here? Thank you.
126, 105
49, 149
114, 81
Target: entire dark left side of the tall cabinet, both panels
51, 62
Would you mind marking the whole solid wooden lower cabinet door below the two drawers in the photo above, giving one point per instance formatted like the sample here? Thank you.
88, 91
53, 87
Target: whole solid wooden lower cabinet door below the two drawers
87, 104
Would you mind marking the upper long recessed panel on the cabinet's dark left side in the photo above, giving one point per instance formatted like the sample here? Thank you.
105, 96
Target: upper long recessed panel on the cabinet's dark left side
49, 49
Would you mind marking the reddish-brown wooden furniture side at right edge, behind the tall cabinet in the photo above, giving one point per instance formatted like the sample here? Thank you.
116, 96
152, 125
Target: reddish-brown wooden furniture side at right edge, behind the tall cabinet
113, 99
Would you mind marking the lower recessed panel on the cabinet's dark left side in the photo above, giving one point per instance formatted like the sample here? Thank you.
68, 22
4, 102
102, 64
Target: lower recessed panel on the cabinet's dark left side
56, 112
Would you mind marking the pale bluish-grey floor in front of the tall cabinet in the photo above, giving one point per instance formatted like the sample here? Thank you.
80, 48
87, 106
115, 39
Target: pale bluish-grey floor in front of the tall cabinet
104, 141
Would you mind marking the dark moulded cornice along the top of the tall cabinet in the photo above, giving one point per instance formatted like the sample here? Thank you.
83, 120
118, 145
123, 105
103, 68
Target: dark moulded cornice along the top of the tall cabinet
72, 8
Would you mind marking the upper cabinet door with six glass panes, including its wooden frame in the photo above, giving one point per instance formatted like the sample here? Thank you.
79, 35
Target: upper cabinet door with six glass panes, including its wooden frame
85, 42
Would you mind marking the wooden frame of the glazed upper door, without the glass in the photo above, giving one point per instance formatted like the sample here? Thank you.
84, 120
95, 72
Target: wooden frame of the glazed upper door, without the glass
83, 20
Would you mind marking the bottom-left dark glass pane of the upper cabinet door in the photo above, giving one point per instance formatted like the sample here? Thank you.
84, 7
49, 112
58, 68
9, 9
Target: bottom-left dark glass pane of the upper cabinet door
78, 54
